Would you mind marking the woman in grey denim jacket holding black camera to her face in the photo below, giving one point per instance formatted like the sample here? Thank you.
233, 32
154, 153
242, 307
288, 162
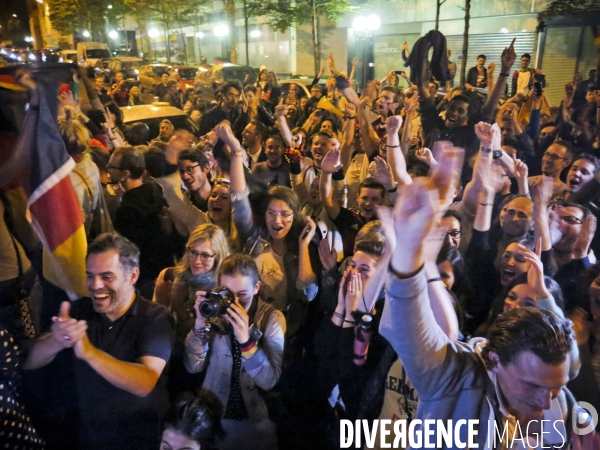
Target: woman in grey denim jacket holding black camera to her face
240, 350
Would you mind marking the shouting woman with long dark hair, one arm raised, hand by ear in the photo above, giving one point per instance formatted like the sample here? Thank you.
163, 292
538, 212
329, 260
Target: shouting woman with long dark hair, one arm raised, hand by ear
279, 239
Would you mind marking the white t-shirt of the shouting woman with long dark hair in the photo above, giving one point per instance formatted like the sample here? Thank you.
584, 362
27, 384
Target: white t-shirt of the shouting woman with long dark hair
273, 288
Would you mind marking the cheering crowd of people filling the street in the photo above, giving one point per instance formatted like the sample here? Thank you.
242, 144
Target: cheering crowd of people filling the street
401, 255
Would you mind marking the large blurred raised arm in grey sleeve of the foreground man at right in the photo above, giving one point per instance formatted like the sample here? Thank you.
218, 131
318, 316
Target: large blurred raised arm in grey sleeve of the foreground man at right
408, 322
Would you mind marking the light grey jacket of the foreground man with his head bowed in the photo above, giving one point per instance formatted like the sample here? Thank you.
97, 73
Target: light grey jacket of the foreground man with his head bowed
449, 376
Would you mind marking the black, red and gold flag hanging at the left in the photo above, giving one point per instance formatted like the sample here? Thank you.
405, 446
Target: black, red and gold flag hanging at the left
52, 206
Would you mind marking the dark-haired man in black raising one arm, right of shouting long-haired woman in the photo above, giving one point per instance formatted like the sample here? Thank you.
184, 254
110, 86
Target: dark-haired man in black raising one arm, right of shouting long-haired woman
348, 222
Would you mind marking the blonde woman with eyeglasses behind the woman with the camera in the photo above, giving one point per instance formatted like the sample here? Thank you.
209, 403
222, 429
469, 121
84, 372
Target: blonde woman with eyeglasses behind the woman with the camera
176, 288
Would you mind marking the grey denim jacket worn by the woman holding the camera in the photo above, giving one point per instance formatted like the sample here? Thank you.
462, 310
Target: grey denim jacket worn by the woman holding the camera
262, 370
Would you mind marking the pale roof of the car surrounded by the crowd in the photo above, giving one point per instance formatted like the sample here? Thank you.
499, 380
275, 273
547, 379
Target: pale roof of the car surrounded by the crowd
152, 115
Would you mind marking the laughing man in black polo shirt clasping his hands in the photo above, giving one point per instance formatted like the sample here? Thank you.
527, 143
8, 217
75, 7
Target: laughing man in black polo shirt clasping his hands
117, 345
